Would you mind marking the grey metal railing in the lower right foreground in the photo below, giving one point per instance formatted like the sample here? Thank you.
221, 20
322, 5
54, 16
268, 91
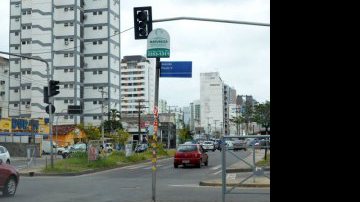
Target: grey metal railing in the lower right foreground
255, 170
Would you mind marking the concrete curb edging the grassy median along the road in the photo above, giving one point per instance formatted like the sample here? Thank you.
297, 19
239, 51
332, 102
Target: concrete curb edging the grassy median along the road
35, 172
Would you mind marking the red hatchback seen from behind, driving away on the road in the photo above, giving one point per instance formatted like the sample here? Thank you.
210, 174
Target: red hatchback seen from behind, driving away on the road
190, 154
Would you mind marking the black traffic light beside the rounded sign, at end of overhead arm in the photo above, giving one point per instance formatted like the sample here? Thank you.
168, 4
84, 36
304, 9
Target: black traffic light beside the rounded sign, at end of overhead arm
142, 22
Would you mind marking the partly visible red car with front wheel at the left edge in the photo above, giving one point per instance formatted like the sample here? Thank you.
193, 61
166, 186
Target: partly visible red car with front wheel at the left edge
9, 179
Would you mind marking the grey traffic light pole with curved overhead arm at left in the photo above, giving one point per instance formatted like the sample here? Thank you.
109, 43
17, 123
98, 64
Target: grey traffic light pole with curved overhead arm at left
50, 99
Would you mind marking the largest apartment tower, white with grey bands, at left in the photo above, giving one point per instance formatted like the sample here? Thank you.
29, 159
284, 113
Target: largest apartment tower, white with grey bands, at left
81, 42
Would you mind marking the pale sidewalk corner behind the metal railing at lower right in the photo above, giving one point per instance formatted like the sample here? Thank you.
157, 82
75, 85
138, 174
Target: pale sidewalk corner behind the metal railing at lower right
239, 171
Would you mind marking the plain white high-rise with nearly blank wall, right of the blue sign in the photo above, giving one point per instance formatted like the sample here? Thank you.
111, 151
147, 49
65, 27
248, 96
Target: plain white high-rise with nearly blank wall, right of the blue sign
212, 101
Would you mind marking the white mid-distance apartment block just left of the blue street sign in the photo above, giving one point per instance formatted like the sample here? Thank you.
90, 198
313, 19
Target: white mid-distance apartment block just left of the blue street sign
137, 84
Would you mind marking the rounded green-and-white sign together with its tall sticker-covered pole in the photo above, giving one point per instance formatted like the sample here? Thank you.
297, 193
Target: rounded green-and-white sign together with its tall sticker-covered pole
158, 46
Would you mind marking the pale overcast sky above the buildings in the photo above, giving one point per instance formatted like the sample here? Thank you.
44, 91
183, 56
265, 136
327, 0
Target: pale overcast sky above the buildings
240, 53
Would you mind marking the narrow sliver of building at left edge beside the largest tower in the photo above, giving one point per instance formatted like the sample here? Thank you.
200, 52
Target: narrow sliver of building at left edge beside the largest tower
4, 87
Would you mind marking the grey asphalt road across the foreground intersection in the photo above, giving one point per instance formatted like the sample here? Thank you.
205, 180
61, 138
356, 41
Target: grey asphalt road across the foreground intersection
133, 183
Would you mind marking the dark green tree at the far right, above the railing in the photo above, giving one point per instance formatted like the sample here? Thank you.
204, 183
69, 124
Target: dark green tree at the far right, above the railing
262, 115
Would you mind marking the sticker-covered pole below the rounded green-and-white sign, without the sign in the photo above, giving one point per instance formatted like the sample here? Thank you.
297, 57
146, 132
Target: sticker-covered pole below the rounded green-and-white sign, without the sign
157, 75
